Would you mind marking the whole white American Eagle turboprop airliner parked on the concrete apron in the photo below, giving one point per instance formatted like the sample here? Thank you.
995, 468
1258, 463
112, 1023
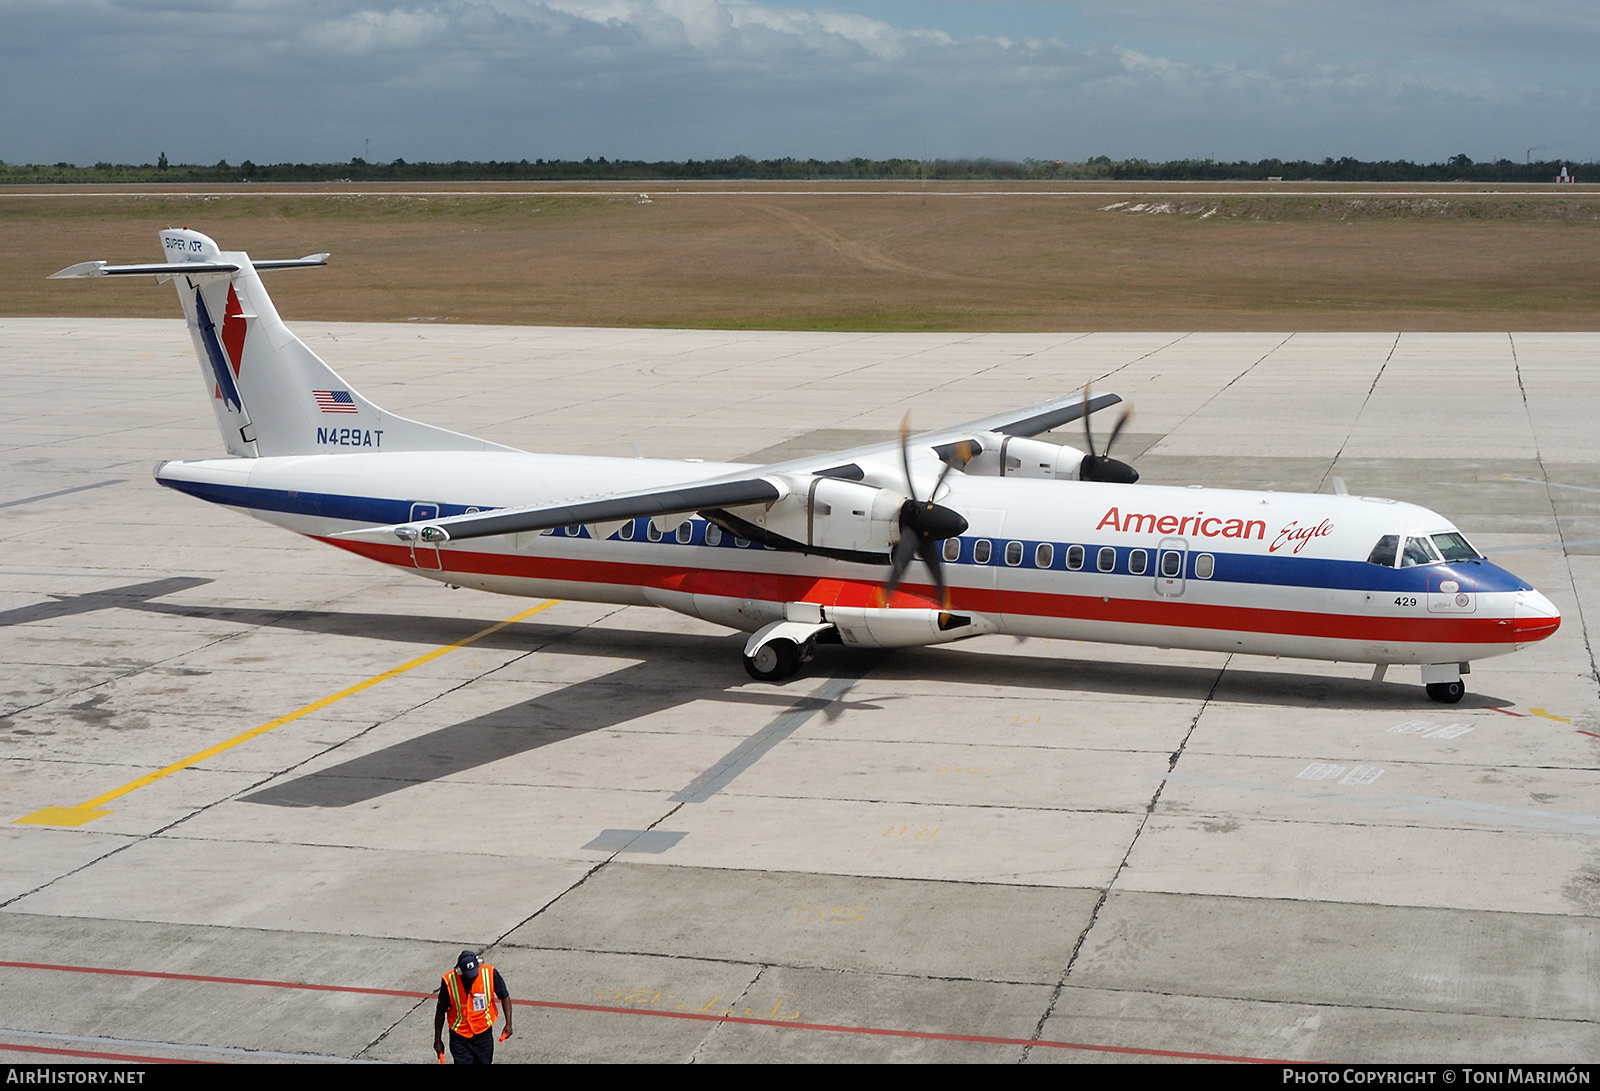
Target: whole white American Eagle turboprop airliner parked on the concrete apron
948, 535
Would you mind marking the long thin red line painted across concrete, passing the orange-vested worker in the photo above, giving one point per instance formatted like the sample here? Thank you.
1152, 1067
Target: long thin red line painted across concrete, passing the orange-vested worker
698, 1017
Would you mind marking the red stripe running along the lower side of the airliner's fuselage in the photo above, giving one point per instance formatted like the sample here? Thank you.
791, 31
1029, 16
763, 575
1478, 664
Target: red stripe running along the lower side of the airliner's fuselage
838, 593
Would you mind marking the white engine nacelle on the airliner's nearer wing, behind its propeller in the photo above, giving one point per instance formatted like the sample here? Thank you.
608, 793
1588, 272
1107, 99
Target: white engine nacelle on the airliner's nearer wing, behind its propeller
830, 514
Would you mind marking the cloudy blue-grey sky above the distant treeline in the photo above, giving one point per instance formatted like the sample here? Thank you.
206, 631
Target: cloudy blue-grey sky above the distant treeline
289, 81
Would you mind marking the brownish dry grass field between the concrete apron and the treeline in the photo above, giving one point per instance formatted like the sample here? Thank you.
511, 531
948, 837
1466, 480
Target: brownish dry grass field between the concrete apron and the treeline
854, 257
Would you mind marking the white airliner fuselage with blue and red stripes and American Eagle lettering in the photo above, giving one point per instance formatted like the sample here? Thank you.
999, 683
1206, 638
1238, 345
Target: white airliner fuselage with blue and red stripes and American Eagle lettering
1263, 573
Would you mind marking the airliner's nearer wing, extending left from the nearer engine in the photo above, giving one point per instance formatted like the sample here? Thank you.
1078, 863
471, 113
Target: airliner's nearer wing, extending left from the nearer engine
519, 521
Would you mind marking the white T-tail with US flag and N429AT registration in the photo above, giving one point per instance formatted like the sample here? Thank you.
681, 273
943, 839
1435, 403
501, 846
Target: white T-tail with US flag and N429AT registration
271, 394
